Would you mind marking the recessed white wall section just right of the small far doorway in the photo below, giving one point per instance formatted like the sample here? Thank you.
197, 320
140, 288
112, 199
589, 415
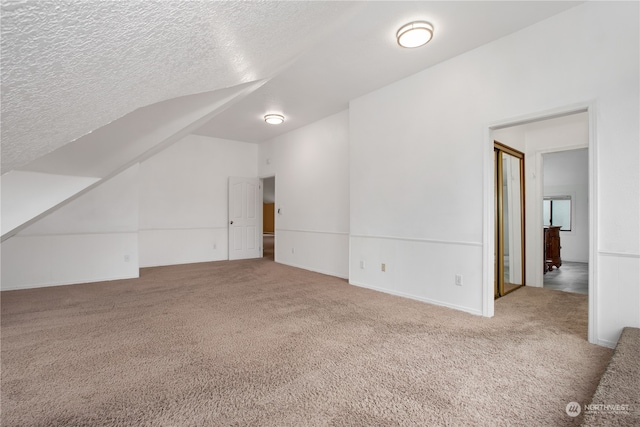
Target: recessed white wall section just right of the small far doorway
312, 193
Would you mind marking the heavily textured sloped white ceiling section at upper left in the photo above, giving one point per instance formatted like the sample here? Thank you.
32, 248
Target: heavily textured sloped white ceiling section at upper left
70, 67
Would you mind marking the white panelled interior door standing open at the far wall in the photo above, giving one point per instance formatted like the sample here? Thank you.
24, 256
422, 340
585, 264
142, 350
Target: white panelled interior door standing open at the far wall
245, 218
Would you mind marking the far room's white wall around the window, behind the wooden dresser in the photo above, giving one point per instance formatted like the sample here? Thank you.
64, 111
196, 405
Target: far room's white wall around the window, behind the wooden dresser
566, 174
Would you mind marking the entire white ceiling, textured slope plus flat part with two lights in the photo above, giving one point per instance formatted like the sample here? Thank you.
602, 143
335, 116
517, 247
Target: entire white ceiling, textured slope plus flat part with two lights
70, 67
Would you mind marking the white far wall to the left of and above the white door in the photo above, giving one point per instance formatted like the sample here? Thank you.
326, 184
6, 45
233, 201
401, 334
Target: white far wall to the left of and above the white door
184, 199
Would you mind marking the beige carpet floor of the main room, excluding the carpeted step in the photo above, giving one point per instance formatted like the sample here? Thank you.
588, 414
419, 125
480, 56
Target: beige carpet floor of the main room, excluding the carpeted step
257, 343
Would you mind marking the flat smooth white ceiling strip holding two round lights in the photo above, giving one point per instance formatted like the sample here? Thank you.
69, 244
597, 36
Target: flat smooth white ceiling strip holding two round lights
362, 55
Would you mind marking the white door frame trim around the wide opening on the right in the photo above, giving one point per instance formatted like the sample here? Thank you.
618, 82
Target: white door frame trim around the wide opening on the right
488, 232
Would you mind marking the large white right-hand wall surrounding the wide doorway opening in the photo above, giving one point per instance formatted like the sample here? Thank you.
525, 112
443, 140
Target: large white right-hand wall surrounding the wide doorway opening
421, 162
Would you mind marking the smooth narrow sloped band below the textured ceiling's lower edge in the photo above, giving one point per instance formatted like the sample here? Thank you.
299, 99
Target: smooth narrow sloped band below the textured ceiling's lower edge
57, 178
